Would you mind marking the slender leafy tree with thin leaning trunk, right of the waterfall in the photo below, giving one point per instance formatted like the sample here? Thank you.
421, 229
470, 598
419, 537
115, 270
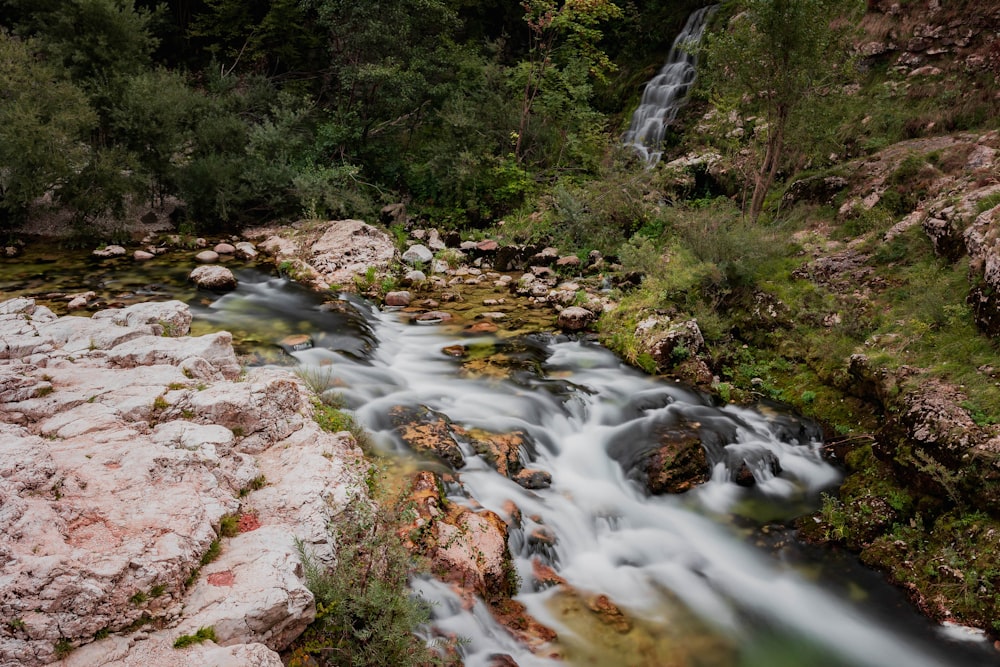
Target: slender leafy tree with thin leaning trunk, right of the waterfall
772, 58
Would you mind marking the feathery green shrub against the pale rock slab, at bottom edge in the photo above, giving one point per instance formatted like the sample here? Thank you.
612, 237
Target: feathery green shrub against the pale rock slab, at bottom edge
364, 614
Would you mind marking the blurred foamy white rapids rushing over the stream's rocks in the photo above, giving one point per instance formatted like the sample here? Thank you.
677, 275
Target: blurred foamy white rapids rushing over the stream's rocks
671, 562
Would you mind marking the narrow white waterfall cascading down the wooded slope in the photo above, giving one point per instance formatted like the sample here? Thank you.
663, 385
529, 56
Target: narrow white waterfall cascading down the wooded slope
666, 93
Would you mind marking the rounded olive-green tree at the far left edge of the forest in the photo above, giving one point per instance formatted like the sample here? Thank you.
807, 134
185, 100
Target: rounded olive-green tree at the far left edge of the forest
44, 121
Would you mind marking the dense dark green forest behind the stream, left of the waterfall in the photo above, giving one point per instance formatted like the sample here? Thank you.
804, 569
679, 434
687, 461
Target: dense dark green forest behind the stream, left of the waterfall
274, 109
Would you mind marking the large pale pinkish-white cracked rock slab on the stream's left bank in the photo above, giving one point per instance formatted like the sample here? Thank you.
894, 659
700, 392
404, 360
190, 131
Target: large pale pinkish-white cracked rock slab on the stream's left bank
149, 488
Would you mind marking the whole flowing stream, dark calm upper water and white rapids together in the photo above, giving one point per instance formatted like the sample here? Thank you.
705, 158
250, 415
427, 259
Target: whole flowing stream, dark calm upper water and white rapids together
712, 577
